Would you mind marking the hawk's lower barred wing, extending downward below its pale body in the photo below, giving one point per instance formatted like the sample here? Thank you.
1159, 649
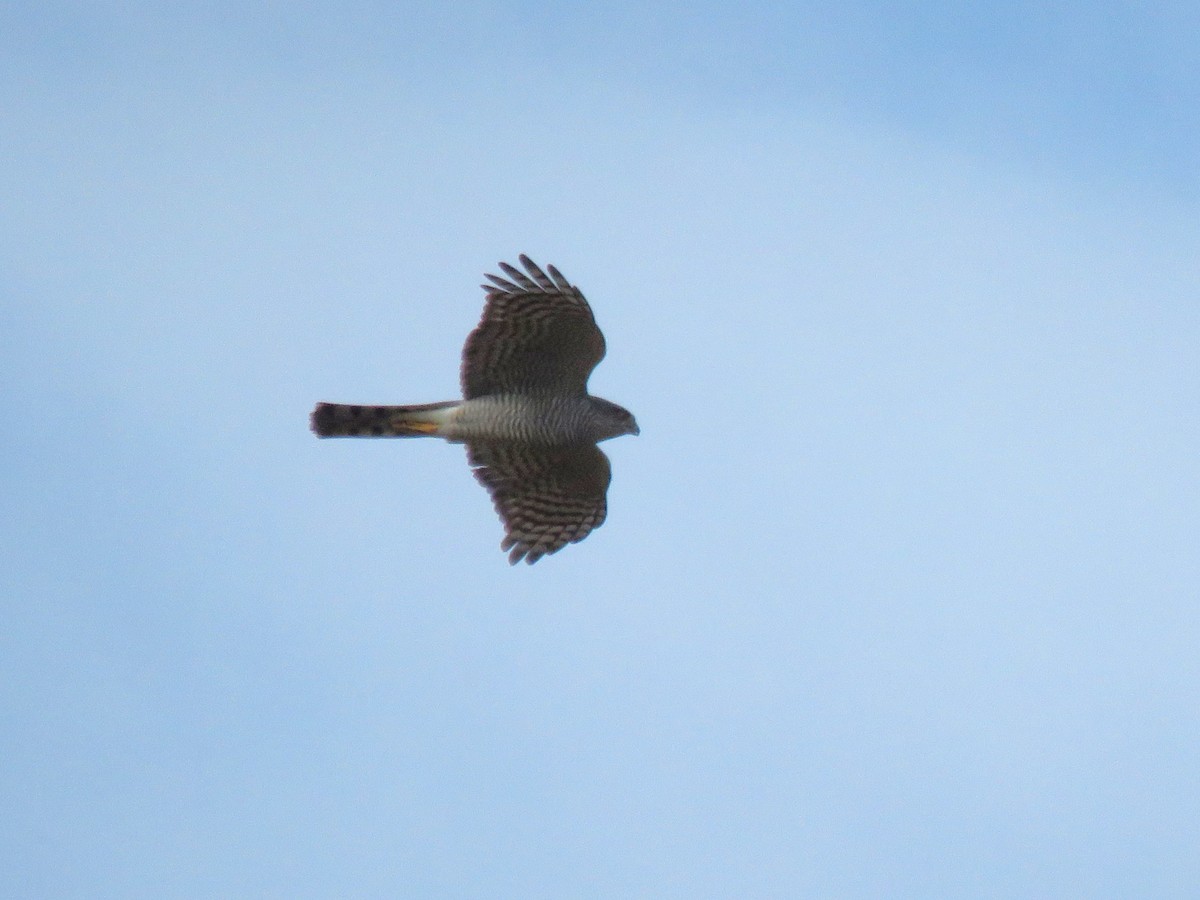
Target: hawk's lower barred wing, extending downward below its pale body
548, 497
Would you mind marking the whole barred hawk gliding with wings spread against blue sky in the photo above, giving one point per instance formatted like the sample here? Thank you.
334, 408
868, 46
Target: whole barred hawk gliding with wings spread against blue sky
530, 425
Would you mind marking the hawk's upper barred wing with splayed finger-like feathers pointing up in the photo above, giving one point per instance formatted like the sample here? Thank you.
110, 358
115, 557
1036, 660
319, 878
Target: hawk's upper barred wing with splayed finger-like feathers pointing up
537, 337
